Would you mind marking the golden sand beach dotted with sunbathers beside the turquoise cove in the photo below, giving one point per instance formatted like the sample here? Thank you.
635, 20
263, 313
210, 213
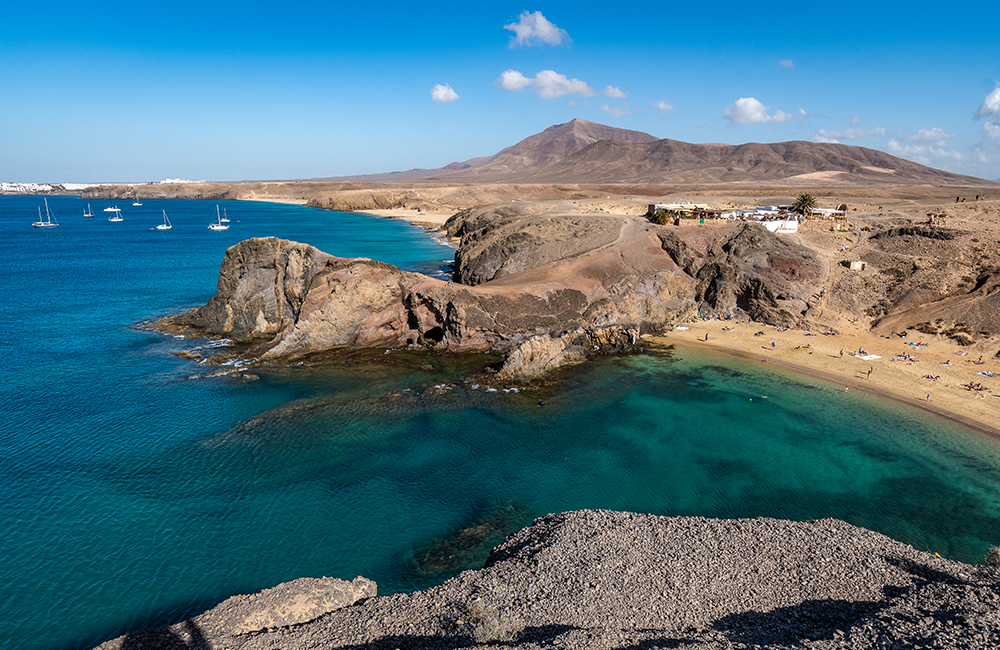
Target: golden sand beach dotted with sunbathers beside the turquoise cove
819, 355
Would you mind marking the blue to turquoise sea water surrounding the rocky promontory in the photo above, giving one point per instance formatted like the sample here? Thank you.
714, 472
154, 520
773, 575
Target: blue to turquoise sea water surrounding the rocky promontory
135, 490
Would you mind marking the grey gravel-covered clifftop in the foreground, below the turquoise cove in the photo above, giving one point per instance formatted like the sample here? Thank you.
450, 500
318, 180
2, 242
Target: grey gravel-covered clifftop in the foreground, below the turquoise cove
600, 579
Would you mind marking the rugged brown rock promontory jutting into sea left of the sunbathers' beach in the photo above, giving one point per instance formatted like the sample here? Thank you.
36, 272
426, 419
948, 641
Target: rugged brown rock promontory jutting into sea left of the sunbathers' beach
543, 290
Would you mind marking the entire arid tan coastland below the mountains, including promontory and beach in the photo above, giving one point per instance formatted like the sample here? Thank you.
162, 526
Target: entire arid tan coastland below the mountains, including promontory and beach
552, 277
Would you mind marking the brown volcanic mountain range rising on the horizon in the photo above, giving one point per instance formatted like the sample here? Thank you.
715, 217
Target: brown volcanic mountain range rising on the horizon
586, 152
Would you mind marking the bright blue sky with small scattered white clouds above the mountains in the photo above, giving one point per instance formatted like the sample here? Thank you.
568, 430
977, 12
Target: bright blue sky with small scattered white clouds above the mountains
116, 91
